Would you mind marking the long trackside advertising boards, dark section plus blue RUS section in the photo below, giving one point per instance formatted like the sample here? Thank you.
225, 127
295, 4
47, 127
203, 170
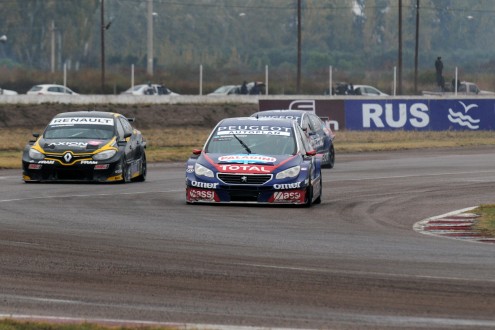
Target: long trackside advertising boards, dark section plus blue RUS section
397, 114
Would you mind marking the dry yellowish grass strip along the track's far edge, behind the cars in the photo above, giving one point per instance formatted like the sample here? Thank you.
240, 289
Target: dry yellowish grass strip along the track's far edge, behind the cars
176, 144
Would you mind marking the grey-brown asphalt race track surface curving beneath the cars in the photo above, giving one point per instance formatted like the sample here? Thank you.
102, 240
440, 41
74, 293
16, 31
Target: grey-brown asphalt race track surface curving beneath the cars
136, 253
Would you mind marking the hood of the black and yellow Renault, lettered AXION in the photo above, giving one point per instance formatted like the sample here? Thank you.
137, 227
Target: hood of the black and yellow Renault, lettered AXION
74, 145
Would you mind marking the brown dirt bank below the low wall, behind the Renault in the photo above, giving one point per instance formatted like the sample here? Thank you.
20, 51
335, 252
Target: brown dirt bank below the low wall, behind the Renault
147, 116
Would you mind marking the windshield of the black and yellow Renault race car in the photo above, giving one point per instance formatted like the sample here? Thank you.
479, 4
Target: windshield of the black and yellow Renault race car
79, 132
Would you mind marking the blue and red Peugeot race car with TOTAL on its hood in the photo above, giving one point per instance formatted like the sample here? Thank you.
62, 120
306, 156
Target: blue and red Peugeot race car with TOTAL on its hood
255, 160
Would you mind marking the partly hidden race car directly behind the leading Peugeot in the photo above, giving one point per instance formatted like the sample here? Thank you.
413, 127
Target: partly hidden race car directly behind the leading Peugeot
319, 134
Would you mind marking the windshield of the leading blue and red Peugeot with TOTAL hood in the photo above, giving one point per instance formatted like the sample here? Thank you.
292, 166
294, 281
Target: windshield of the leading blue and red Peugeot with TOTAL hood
250, 142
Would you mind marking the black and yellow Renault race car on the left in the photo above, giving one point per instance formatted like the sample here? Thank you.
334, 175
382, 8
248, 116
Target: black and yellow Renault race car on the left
86, 146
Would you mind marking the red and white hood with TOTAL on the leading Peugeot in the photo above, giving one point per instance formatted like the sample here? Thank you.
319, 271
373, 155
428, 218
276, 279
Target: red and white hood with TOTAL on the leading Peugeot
249, 163
